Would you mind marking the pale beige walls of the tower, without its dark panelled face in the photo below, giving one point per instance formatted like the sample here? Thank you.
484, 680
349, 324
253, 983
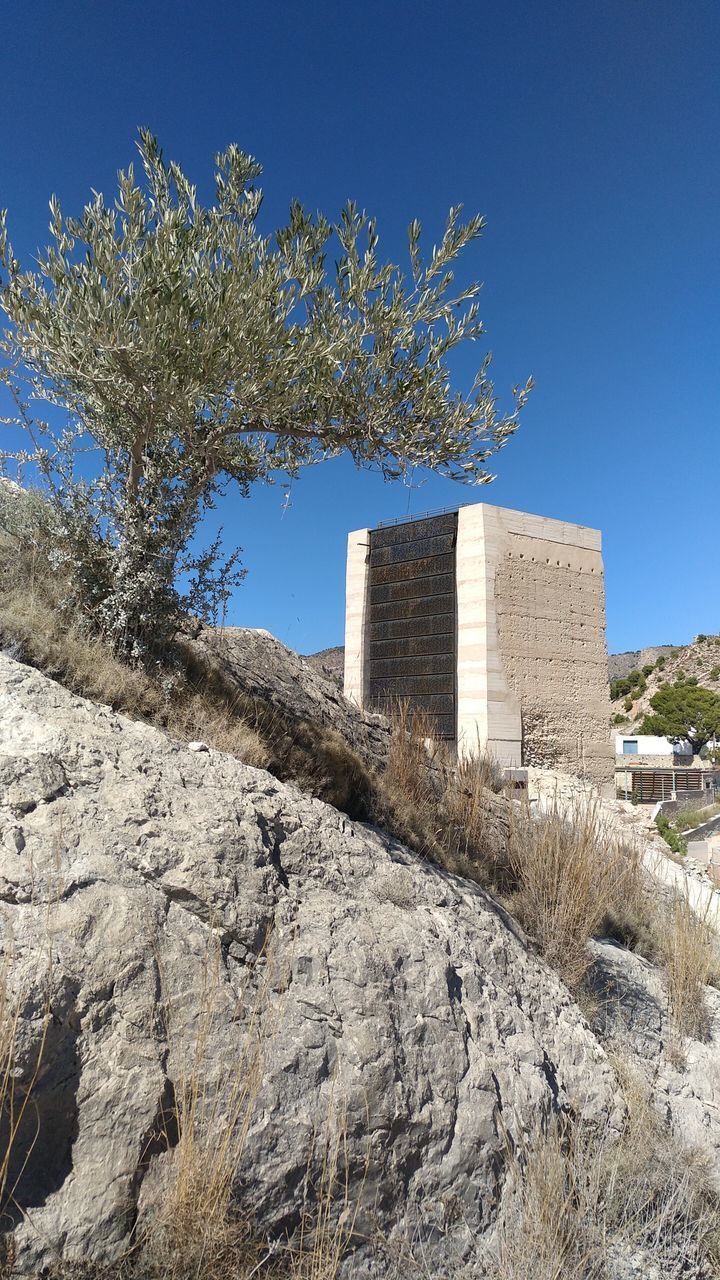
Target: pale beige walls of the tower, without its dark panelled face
532, 662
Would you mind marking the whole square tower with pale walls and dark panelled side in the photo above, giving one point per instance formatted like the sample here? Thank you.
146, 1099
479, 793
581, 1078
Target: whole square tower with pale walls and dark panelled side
493, 623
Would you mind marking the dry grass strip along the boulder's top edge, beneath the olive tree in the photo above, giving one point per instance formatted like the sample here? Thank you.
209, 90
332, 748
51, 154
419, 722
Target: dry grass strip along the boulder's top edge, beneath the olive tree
186, 696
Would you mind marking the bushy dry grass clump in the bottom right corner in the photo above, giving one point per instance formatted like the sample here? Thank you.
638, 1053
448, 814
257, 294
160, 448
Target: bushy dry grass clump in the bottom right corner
582, 1201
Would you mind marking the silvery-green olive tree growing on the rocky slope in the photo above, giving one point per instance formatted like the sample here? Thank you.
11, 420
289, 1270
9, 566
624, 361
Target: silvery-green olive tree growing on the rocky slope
183, 349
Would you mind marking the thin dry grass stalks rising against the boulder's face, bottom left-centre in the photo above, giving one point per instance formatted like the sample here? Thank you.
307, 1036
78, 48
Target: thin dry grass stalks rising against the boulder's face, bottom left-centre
194, 1227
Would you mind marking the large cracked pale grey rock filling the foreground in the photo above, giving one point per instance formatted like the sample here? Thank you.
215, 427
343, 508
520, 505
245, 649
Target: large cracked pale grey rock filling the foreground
166, 912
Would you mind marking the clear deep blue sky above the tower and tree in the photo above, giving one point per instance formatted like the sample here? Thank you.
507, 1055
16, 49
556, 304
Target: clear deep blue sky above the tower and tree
587, 135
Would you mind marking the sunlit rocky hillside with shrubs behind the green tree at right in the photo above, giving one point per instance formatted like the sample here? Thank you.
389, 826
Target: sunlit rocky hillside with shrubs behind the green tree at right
634, 692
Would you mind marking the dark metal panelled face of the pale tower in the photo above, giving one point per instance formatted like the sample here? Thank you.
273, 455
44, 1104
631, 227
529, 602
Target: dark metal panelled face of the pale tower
412, 612
